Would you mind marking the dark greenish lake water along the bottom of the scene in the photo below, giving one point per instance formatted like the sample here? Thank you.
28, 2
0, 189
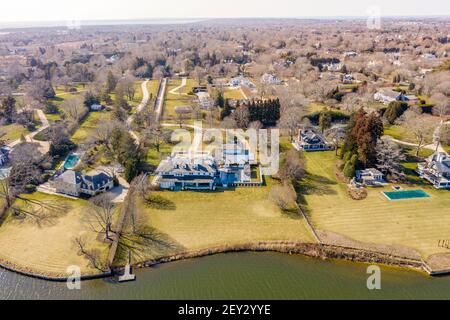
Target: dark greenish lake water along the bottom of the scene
241, 276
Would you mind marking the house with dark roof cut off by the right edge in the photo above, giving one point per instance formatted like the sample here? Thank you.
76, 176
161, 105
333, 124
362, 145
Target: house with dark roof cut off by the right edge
436, 170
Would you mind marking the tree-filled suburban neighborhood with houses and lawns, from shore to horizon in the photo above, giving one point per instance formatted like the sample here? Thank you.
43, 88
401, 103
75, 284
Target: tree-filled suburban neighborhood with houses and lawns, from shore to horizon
154, 144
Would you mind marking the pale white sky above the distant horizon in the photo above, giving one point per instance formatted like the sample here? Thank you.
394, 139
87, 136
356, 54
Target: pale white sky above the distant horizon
60, 10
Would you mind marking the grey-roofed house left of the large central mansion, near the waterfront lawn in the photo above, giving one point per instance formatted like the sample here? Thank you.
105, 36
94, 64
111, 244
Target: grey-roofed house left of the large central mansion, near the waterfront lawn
74, 183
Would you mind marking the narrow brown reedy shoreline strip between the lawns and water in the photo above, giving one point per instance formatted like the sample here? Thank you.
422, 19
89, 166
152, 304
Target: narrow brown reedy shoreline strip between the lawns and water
312, 250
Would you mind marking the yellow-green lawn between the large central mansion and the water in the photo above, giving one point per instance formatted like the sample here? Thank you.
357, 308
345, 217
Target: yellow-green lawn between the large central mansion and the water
199, 220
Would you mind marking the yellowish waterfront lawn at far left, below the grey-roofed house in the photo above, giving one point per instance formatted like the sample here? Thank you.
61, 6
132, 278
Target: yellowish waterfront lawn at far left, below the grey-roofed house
48, 248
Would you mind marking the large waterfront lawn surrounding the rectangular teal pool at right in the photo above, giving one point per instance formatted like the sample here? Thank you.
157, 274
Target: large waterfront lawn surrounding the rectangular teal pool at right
417, 224
